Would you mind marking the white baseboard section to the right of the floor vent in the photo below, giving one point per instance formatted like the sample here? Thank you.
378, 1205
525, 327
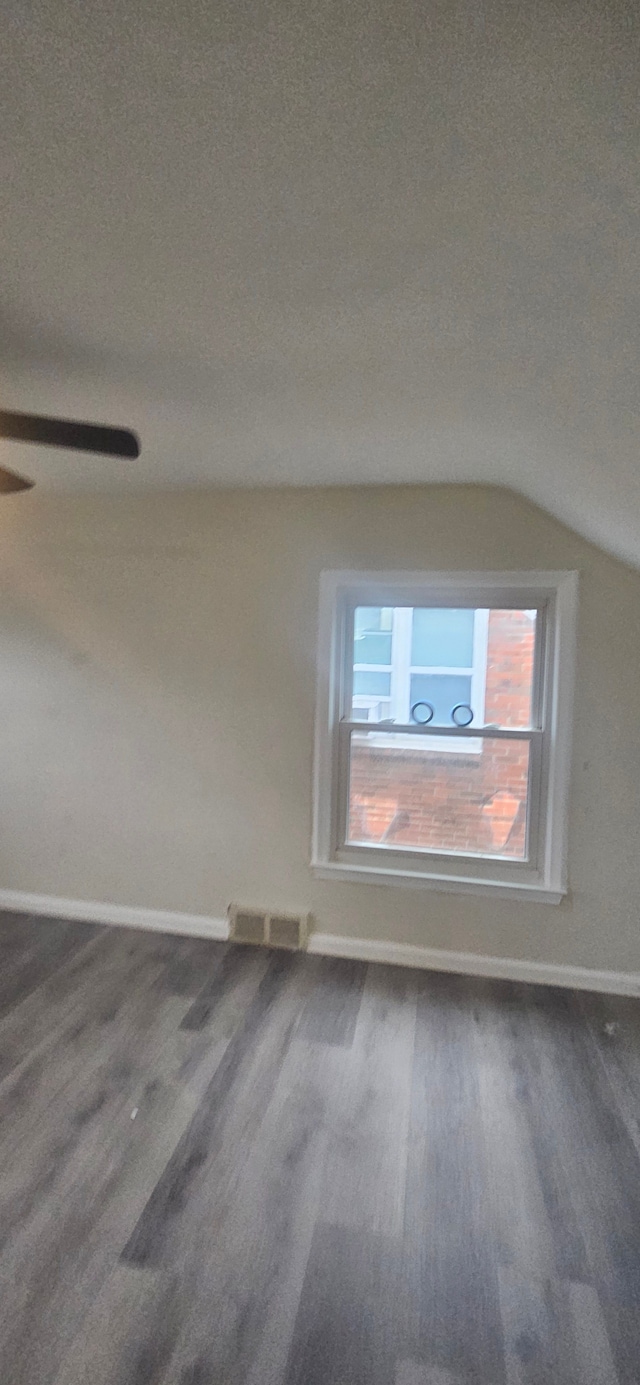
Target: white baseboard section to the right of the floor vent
474, 965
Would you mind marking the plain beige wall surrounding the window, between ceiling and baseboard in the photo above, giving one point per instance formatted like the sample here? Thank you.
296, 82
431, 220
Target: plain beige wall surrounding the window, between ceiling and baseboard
157, 683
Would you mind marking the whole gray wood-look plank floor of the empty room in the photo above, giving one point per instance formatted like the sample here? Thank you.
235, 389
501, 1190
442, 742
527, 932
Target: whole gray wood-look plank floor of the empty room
228, 1167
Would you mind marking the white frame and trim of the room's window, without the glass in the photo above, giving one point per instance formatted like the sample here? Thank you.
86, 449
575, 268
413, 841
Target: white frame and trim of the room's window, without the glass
542, 875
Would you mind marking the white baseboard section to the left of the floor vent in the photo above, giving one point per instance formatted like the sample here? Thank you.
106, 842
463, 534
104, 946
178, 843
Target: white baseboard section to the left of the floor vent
92, 912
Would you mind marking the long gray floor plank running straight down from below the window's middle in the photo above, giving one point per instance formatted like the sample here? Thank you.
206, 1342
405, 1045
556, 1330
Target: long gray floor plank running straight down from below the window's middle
451, 1267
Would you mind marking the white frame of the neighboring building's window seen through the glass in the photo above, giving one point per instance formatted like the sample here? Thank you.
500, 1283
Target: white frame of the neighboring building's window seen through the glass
401, 671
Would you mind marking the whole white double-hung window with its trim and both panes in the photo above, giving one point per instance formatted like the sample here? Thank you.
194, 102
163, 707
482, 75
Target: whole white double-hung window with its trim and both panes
443, 739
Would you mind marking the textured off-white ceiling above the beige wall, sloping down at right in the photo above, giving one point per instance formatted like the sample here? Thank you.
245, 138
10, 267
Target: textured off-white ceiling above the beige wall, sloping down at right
329, 242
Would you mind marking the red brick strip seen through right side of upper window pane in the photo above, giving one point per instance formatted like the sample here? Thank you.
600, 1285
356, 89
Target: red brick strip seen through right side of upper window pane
510, 668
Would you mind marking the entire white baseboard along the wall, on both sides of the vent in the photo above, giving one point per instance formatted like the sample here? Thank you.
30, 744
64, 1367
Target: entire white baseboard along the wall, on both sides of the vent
333, 945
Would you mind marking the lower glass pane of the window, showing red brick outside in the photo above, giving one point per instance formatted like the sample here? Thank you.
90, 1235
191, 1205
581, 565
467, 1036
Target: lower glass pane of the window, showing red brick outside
427, 800
